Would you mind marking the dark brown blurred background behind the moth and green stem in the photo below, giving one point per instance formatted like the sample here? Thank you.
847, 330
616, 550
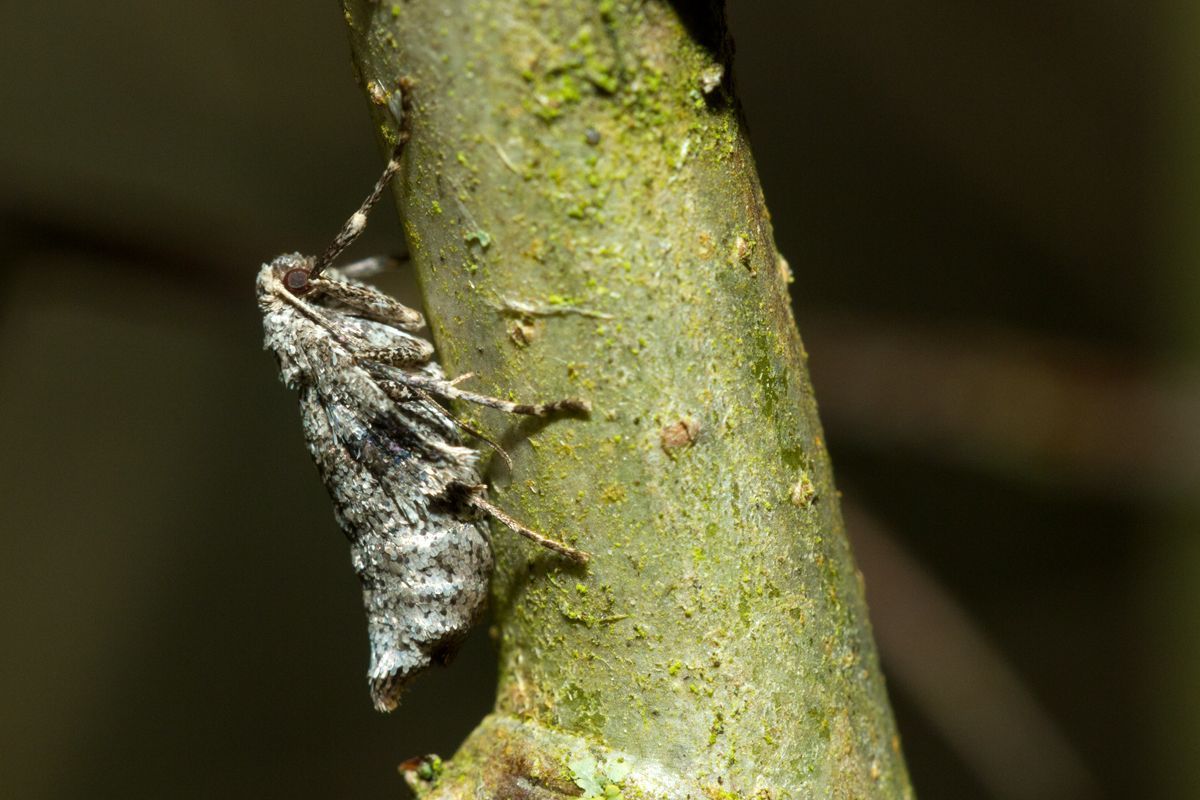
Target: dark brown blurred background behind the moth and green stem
992, 212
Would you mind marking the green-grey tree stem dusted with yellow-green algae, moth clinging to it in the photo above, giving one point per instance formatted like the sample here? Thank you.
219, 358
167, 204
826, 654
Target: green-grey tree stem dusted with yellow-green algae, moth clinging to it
585, 161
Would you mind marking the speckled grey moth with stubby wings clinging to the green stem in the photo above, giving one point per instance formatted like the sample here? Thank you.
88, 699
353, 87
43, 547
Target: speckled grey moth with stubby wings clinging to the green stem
406, 492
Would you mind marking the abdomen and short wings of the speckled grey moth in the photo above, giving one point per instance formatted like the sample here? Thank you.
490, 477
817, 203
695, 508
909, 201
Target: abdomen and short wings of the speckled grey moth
424, 563
